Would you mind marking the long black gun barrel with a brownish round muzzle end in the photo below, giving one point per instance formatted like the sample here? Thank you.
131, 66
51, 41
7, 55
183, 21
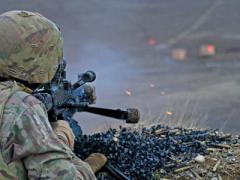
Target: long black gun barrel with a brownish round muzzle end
131, 115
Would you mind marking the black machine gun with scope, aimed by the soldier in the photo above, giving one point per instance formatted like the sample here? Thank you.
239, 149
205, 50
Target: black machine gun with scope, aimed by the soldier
63, 99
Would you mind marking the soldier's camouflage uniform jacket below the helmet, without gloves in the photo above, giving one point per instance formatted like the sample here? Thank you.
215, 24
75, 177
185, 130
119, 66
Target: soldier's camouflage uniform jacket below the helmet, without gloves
28, 144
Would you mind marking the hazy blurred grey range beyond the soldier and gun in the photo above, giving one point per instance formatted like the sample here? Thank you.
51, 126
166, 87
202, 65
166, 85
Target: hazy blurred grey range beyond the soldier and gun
177, 61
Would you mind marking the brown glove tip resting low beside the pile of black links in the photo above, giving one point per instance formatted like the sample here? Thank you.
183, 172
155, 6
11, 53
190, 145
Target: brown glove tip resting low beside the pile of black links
96, 161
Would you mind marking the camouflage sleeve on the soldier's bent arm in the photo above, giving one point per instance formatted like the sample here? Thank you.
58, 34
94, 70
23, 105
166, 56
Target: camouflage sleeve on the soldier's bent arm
44, 156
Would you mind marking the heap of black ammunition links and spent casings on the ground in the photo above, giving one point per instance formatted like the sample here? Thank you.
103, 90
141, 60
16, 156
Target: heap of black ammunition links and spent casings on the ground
139, 154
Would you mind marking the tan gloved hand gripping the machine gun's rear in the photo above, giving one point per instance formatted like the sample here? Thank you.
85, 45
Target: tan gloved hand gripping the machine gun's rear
64, 133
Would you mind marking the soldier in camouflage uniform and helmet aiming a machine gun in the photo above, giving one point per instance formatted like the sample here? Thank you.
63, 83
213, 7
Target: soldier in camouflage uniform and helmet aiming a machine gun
31, 48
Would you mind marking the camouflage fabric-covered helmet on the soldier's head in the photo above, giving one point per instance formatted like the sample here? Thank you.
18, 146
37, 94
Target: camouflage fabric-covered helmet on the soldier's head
31, 47
